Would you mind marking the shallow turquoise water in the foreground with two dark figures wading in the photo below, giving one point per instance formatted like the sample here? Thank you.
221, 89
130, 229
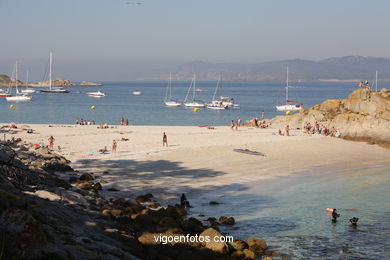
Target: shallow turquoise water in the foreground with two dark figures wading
289, 213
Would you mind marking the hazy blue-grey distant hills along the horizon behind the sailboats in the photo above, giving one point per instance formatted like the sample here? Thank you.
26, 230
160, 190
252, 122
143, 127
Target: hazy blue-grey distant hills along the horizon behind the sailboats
332, 69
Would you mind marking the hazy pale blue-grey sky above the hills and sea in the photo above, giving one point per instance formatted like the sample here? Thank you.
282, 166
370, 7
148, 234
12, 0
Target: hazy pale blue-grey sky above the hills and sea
105, 39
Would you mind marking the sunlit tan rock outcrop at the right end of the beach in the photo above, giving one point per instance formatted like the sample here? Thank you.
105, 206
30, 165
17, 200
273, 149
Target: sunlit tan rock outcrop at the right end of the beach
363, 116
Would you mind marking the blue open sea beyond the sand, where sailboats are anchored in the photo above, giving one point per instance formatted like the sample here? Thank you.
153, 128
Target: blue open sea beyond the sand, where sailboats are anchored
148, 108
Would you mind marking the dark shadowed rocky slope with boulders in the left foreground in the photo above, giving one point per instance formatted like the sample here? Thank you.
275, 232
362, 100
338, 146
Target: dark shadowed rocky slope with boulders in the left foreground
50, 211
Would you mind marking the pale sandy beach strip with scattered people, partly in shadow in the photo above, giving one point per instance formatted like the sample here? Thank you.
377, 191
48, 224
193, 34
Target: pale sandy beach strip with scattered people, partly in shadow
198, 159
